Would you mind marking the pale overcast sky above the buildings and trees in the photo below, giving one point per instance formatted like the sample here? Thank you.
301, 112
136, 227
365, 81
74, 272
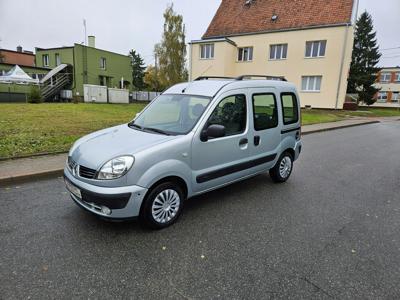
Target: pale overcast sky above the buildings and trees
122, 25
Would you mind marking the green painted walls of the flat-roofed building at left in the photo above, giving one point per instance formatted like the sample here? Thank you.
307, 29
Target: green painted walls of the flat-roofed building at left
87, 66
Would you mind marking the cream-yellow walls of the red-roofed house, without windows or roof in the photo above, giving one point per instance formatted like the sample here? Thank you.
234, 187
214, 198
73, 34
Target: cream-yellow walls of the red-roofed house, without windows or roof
293, 68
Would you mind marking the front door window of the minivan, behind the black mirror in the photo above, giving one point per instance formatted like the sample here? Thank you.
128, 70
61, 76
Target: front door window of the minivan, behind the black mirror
231, 112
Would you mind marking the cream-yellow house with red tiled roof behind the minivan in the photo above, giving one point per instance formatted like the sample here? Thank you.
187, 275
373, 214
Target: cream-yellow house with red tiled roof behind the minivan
308, 42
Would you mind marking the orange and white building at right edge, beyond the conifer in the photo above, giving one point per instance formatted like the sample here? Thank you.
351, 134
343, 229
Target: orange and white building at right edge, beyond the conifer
388, 80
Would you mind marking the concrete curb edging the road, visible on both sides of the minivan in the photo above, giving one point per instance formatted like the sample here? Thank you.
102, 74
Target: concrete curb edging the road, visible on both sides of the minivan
33, 176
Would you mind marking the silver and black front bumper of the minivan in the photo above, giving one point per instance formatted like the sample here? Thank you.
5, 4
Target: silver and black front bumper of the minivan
108, 202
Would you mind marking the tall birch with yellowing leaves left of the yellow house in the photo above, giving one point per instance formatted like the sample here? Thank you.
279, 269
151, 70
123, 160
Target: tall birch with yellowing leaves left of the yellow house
170, 53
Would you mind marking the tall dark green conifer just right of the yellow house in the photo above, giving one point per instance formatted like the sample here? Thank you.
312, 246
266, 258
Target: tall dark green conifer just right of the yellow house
365, 57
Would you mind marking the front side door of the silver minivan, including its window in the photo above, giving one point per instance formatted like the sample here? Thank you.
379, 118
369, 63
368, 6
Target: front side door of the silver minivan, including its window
218, 161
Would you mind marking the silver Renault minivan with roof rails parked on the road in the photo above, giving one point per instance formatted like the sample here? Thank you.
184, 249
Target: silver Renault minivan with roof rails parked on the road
193, 138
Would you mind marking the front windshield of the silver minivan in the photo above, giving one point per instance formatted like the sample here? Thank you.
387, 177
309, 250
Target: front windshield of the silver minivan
172, 114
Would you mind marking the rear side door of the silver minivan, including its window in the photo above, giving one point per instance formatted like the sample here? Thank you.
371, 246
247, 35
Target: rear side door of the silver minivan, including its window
264, 132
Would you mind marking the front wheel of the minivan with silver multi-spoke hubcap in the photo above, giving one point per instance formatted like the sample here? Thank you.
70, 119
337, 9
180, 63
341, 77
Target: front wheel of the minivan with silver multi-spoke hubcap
162, 205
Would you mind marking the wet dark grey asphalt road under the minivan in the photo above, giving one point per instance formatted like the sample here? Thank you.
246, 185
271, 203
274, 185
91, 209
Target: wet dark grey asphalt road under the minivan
331, 231
